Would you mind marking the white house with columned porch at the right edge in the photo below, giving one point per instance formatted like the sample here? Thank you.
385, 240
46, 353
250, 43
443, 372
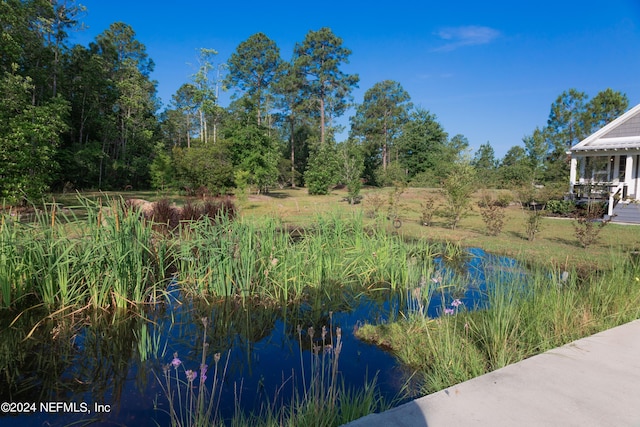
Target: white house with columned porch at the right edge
607, 161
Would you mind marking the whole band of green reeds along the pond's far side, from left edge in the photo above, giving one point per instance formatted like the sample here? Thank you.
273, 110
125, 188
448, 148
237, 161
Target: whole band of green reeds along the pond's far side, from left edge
113, 257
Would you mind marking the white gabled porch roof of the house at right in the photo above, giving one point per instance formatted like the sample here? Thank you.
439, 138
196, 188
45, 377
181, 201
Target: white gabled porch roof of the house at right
622, 134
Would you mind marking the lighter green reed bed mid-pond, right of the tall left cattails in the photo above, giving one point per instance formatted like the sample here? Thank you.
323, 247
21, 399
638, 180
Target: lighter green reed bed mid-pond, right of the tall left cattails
247, 259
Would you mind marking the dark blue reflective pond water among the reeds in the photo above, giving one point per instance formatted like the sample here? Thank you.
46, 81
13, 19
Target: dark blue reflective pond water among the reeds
119, 362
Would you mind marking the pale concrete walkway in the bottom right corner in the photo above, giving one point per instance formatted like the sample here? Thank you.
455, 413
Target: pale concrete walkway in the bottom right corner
594, 381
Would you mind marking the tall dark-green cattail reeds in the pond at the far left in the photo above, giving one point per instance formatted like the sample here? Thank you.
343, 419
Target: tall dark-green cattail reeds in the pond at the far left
106, 259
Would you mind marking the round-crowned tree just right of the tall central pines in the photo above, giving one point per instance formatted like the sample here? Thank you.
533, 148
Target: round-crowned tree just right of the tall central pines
378, 121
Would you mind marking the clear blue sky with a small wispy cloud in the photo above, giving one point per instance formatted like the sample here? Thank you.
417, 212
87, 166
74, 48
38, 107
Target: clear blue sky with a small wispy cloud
488, 70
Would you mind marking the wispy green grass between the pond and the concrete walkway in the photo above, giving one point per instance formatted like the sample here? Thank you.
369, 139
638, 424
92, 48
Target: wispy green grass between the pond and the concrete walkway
527, 315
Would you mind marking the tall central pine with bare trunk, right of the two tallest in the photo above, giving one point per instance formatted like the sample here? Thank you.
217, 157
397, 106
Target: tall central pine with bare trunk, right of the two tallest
318, 59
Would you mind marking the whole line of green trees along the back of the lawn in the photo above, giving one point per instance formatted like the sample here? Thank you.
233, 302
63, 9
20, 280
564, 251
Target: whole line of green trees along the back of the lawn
88, 117
